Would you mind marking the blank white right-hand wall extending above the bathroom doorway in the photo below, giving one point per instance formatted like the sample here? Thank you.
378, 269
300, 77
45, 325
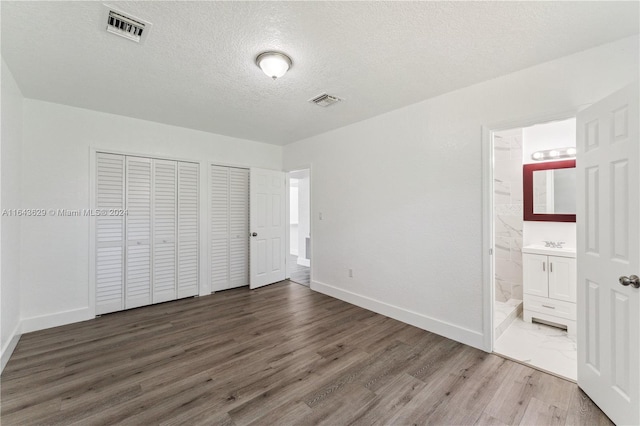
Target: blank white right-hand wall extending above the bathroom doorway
401, 193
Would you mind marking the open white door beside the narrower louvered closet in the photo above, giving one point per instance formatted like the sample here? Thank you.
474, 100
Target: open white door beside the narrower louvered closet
267, 227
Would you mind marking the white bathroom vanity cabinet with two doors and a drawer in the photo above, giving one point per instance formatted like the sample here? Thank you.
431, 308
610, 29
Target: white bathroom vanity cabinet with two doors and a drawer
549, 285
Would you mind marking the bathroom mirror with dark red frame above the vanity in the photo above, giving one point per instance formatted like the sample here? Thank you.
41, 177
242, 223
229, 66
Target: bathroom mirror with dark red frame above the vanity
550, 191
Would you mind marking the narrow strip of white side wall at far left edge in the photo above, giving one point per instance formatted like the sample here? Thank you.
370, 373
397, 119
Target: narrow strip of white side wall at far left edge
10, 199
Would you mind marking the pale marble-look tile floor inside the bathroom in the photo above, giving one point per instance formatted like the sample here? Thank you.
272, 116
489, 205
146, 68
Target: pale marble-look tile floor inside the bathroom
548, 348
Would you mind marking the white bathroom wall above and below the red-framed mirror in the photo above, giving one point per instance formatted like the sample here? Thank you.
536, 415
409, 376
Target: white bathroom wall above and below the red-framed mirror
558, 134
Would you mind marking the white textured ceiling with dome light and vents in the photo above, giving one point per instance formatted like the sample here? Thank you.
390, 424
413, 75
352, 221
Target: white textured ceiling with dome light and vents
196, 68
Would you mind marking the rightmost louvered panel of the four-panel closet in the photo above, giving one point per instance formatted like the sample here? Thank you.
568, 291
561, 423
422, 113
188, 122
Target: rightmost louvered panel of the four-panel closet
187, 229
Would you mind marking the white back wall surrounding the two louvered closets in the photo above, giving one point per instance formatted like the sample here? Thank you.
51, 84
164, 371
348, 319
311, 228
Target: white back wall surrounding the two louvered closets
56, 152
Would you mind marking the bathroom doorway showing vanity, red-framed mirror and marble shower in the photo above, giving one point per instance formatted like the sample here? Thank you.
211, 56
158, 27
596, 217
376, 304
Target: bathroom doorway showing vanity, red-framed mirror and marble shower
533, 254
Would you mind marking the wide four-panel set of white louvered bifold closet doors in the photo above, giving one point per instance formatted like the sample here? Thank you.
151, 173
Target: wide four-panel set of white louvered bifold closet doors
149, 255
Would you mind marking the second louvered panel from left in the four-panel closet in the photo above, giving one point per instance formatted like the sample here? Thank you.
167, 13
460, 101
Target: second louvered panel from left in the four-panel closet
138, 259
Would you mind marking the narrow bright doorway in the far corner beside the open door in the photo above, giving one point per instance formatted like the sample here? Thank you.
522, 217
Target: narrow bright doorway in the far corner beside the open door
299, 254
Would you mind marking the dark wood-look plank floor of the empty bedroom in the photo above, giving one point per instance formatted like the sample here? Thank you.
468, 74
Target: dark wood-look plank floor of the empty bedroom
279, 355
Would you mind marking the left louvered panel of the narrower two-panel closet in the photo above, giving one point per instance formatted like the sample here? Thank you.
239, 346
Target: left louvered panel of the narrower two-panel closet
219, 228
